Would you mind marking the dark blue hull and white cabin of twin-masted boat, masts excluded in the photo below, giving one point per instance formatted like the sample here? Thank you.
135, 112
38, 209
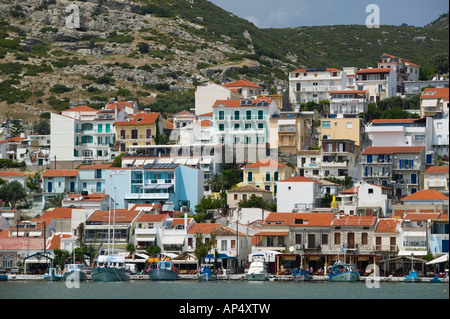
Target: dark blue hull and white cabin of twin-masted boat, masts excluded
110, 268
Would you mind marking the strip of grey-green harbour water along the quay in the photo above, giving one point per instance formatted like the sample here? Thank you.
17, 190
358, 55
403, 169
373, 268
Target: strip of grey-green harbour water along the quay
225, 289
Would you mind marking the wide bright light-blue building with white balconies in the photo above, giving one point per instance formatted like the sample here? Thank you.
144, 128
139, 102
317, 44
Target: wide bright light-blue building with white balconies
155, 183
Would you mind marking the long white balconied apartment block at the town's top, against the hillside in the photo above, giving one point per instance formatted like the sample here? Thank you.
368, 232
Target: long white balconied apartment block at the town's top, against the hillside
315, 84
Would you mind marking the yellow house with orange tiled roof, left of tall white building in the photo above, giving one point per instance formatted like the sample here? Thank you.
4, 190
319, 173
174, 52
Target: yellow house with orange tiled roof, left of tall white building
139, 131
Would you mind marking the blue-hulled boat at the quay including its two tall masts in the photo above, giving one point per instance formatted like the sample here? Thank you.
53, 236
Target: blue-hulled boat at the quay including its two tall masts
110, 267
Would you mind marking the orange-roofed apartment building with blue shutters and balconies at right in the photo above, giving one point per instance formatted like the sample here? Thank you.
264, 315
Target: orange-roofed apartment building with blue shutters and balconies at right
398, 167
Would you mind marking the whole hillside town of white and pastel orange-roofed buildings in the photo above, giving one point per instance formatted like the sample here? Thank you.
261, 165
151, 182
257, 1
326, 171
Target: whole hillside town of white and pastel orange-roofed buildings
302, 174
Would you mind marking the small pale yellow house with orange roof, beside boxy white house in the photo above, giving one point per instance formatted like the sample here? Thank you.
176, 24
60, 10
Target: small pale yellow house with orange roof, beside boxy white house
265, 173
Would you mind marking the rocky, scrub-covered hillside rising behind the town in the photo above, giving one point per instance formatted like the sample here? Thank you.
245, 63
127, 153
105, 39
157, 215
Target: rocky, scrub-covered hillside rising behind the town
158, 50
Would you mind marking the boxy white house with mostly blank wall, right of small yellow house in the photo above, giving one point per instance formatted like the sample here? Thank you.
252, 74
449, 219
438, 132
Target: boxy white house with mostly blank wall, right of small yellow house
297, 193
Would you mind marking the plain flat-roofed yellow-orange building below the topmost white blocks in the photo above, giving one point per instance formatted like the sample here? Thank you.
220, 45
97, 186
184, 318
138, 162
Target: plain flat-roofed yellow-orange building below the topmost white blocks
342, 128
